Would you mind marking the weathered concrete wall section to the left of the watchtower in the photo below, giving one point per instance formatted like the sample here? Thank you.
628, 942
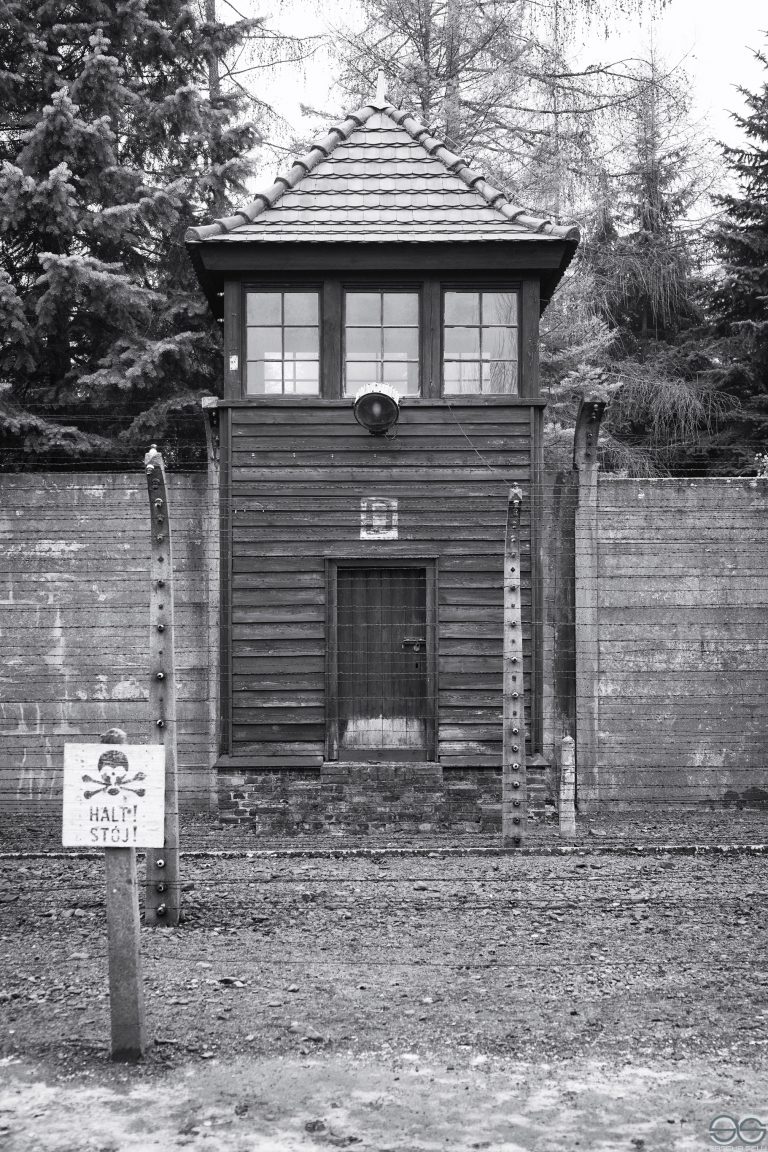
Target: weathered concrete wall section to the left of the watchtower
74, 627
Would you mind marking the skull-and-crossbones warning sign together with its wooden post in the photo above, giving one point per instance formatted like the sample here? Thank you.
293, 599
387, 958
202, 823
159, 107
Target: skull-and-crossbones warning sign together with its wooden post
113, 799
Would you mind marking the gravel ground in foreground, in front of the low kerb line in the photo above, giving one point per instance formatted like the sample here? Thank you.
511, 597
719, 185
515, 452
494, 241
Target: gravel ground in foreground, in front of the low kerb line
600, 1002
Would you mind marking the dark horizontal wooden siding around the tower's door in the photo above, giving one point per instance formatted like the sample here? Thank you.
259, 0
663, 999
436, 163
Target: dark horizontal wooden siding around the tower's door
298, 475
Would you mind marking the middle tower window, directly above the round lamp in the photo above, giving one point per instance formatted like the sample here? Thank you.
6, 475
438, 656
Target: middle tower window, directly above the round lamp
382, 340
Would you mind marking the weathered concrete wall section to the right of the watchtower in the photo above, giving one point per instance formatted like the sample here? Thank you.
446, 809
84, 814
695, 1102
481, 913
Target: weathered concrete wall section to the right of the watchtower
682, 645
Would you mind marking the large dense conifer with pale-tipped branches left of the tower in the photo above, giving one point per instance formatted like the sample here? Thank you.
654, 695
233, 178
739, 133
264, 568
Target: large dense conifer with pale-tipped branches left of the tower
110, 147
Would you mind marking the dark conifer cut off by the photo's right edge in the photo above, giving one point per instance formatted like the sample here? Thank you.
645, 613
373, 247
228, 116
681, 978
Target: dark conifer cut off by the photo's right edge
741, 299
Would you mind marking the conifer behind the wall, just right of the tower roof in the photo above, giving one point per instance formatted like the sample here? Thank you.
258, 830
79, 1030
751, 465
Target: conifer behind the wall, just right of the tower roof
640, 275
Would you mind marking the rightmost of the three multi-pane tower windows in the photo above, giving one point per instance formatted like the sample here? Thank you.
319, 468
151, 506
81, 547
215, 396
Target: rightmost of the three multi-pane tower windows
481, 343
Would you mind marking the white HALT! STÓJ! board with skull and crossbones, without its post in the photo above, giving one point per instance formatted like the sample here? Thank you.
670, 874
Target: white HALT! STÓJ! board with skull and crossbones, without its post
115, 797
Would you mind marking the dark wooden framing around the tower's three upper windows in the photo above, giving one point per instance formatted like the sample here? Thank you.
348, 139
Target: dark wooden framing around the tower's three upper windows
431, 290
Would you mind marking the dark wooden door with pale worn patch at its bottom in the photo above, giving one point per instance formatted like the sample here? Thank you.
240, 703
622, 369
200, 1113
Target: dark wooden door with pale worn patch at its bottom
384, 664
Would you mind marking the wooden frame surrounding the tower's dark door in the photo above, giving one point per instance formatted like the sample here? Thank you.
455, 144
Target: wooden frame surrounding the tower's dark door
375, 560
